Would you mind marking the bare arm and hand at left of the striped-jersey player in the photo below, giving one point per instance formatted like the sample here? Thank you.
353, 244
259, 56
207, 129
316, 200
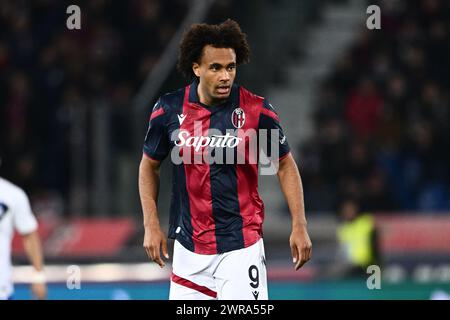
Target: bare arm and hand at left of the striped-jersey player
154, 238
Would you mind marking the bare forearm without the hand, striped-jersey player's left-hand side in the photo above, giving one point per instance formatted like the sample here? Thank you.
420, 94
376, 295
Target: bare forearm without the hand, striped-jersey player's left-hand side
148, 190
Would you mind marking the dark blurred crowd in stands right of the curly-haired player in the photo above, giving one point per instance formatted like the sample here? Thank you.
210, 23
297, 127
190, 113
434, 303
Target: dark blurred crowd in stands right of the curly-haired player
382, 121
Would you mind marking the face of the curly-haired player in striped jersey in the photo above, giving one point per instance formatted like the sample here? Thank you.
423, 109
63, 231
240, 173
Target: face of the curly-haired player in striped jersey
216, 71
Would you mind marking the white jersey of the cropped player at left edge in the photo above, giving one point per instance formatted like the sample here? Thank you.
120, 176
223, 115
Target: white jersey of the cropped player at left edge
15, 214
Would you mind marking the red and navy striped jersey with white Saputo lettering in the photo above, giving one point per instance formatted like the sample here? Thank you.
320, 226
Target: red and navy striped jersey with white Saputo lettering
215, 205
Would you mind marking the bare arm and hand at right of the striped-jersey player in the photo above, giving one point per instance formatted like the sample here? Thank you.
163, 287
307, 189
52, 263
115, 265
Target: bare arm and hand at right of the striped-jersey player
291, 185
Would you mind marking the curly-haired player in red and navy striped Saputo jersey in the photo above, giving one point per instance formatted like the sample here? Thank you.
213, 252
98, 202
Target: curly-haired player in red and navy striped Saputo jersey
216, 213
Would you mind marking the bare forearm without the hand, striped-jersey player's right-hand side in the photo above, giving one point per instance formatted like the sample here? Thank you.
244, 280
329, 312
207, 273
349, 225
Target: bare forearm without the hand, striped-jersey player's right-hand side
291, 186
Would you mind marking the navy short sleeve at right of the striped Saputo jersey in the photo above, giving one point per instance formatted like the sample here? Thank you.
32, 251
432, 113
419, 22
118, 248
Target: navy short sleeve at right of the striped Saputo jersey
270, 123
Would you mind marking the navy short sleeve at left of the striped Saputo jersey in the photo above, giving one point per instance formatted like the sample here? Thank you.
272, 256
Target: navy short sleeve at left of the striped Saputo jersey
156, 143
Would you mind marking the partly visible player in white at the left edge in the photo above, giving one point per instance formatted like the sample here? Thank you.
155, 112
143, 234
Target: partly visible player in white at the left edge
15, 213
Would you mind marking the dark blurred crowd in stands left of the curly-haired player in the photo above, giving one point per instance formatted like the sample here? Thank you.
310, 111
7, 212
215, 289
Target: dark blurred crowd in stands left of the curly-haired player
47, 71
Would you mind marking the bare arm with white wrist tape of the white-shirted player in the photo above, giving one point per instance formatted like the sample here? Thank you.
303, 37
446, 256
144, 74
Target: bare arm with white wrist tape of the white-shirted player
33, 250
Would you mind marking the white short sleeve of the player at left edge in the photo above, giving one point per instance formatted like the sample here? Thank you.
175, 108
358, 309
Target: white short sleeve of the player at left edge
23, 218
